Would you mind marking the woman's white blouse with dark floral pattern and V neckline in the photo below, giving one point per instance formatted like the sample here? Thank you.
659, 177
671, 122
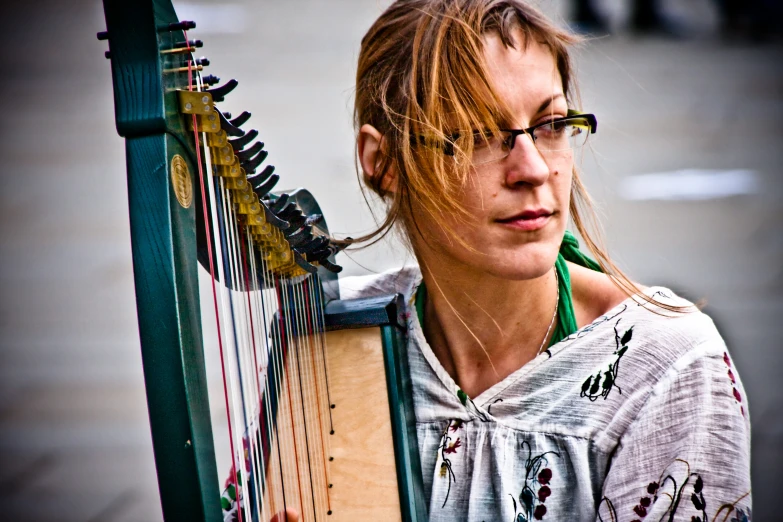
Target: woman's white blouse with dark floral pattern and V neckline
639, 416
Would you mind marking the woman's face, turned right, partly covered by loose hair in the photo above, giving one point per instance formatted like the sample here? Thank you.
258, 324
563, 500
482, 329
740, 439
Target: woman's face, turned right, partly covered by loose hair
518, 205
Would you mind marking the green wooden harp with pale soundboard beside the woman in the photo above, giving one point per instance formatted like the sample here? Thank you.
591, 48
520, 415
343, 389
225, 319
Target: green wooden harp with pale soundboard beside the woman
316, 389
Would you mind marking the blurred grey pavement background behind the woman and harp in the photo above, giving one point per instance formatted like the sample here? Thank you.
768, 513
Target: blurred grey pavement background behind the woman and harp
685, 171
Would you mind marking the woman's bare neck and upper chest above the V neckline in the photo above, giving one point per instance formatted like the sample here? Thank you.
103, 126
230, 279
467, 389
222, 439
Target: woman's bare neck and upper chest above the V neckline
483, 328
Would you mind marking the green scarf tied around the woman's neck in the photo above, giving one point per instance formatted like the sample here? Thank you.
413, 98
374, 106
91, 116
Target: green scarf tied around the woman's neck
566, 321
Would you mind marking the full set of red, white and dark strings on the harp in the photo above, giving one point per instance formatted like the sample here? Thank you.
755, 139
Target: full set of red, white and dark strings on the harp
275, 380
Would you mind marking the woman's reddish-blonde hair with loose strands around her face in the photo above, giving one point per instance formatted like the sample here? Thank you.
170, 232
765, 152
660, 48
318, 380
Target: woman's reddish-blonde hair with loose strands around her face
421, 75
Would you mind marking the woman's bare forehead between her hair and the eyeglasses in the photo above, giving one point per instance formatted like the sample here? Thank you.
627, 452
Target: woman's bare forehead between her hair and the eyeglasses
524, 76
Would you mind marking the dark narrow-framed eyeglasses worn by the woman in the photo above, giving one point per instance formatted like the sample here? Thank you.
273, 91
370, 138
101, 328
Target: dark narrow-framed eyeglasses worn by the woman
561, 134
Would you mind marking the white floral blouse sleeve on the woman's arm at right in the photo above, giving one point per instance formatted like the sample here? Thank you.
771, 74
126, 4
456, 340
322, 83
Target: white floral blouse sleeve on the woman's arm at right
686, 456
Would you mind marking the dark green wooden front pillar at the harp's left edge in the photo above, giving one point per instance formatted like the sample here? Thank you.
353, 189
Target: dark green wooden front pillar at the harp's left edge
163, 237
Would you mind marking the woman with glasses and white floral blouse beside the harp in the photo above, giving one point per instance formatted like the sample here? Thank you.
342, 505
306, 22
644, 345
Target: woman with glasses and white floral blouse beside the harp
546, 386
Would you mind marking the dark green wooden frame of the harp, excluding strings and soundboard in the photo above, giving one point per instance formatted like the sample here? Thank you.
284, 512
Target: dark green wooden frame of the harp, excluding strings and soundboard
151, 64
